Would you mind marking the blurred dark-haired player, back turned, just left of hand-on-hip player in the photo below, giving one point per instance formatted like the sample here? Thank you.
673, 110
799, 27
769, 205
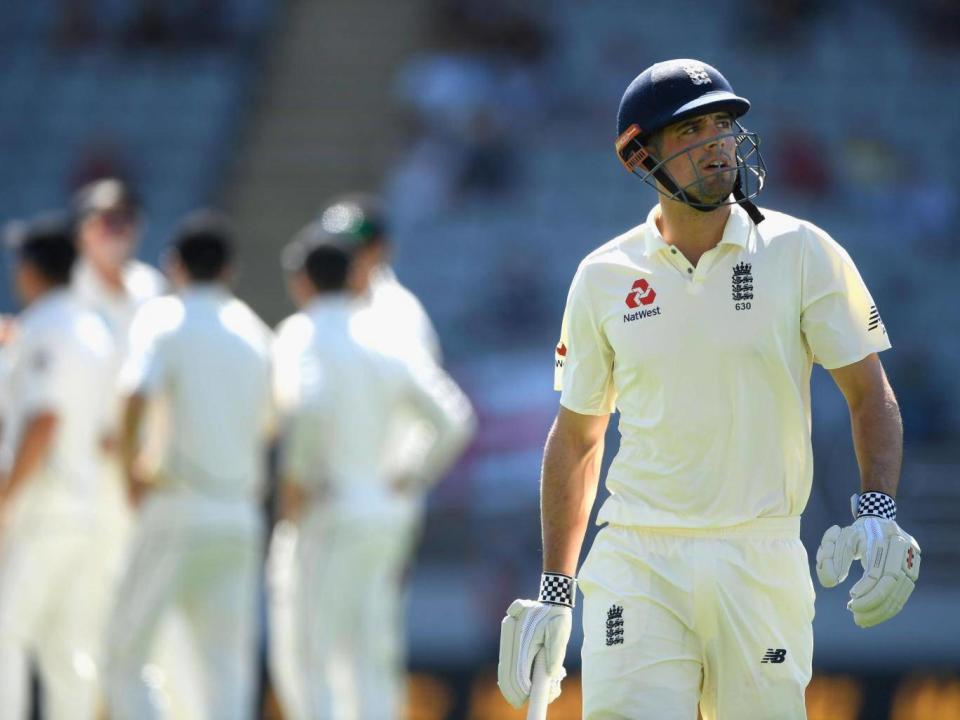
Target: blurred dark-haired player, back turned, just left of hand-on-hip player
197, 545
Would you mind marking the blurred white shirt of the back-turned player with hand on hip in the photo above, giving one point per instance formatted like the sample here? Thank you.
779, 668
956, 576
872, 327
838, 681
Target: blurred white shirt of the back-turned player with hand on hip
340, 391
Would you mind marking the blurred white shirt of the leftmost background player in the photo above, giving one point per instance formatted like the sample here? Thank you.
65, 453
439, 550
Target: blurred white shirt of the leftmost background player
61, 361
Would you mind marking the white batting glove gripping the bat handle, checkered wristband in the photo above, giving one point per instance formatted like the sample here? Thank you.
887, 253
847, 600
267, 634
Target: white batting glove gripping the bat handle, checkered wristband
531, 627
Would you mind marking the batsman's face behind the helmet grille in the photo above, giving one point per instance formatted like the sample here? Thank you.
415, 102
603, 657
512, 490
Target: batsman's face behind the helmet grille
705, 166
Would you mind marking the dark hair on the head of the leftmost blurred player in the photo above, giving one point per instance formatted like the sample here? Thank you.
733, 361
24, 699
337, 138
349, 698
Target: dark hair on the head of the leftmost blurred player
46, 244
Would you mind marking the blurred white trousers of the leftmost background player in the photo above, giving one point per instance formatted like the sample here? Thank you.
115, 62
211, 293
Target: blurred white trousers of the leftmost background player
48, 613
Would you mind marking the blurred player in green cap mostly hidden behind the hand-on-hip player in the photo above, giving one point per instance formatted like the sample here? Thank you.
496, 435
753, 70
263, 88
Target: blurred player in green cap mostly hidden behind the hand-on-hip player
395, 319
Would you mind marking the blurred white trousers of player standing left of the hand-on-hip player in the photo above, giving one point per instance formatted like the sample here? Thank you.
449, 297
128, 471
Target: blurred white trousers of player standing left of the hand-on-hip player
202, 561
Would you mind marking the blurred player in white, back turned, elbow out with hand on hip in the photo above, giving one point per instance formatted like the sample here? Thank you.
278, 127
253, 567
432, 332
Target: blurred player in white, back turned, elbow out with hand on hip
339, 393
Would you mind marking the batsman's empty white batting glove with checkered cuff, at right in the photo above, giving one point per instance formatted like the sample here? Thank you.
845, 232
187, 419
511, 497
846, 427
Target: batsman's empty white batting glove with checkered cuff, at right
889, 556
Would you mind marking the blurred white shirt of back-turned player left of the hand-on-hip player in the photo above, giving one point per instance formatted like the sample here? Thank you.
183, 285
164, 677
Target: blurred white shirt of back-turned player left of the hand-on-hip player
208, 356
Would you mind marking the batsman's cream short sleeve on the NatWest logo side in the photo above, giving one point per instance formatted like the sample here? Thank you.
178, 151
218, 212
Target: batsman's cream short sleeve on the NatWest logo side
583, 358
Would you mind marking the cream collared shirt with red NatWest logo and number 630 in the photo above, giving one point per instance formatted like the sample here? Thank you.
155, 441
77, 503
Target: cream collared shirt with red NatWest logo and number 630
710, 365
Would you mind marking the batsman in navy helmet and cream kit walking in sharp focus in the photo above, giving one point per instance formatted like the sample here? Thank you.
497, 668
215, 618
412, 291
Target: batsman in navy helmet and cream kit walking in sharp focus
701, 326
